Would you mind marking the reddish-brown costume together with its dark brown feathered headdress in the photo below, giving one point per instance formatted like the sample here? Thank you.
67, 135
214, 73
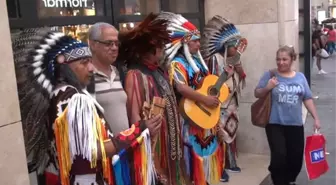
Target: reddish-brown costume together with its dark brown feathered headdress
145, 83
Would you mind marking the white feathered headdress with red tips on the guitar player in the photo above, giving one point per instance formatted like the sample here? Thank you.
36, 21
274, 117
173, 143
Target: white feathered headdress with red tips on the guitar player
181, 32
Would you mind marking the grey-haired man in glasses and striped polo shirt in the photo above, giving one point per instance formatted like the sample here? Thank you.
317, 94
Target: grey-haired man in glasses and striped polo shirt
109, 92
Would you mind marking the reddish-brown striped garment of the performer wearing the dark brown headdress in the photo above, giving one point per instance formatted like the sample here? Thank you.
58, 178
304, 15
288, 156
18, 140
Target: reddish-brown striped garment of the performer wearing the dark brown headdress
149, 82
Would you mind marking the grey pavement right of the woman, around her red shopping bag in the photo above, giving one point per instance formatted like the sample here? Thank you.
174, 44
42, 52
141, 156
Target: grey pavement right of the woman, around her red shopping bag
324, 86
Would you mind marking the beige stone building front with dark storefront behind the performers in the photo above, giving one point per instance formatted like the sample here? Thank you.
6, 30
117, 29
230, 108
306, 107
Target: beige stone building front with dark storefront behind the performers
267, 24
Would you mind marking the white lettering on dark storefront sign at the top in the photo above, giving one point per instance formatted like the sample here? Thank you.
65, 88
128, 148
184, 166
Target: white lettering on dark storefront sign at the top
65, 3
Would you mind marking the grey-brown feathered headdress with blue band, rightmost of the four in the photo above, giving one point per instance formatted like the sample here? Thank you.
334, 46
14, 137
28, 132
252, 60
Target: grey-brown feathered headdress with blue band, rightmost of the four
218, 34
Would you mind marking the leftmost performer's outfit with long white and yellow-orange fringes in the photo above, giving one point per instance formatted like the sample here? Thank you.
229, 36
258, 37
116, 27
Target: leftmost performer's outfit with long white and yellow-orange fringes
79, 129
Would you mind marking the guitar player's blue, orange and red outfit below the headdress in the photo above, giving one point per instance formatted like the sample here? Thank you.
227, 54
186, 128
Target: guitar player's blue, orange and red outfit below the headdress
203, 153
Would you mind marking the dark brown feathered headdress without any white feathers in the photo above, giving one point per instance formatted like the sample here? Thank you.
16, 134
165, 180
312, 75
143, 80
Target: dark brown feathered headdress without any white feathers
148, 35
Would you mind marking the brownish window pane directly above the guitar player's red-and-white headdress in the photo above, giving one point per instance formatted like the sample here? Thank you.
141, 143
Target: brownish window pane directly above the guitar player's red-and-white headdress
184, 6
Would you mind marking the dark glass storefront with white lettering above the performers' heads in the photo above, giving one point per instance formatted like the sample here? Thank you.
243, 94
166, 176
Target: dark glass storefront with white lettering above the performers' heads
74, 17
